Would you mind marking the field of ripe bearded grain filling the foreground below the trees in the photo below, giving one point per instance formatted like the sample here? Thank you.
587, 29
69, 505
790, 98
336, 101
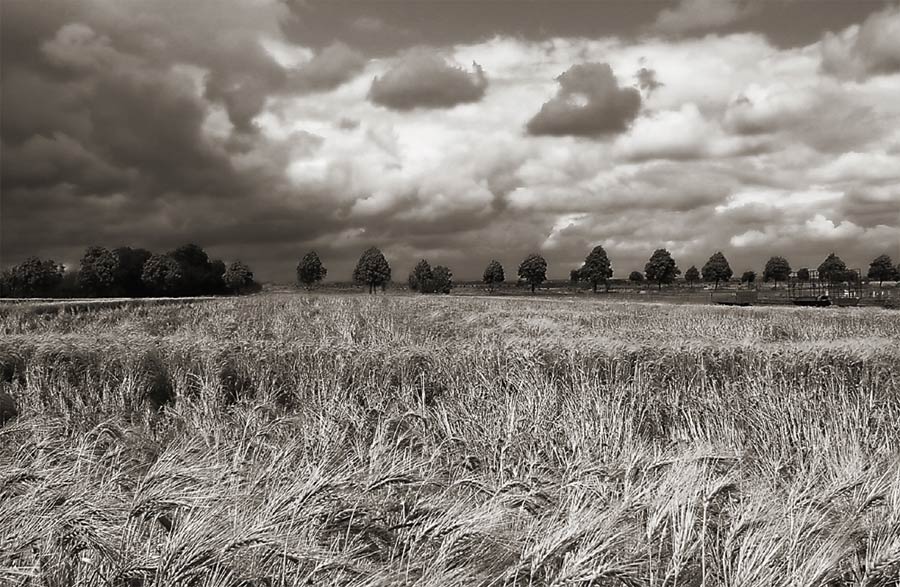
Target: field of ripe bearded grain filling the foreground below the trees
447, 441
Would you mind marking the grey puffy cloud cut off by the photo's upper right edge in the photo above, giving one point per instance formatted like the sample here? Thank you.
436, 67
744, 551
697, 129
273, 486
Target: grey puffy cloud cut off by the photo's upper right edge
865, 50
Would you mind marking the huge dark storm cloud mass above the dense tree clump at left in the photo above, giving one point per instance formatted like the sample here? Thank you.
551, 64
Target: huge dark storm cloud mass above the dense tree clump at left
103, 130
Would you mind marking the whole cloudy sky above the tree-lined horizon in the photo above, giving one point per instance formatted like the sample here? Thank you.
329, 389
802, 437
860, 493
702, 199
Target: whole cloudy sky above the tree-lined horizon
452, 130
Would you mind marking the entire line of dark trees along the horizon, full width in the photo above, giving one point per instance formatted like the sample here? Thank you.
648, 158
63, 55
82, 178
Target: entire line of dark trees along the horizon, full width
189, 271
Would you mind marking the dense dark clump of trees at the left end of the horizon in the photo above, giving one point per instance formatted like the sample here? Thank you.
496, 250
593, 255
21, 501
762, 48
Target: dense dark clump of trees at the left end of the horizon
129, 272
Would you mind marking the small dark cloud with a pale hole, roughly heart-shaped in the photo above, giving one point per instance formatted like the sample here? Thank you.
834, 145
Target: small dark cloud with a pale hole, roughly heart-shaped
589, 103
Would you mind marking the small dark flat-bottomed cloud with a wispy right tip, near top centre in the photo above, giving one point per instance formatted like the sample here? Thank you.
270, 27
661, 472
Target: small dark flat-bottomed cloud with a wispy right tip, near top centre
424, 80
